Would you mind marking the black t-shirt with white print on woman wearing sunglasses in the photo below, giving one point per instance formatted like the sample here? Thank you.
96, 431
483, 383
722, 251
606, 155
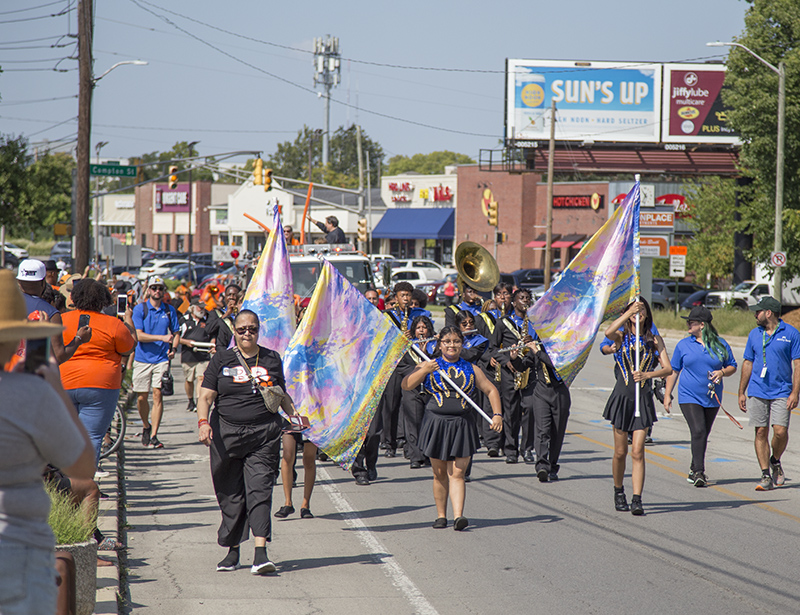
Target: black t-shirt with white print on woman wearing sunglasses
236, 401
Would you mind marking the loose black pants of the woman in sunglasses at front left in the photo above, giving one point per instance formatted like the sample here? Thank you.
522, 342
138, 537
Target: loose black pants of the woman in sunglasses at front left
244, 464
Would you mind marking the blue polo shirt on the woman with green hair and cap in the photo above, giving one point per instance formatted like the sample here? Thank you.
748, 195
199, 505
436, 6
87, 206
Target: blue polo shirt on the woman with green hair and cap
693, 360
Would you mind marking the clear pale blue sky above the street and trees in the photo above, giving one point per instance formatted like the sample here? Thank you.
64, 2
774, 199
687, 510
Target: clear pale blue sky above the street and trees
198, 85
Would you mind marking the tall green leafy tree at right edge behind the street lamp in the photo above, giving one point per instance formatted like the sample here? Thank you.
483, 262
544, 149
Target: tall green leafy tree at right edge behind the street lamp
772, 30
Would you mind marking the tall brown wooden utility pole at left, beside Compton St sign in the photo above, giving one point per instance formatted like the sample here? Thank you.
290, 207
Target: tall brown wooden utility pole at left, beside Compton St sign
81, 223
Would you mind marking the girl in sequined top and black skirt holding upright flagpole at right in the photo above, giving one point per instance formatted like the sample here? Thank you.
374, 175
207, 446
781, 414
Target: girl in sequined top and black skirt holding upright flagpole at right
620, 407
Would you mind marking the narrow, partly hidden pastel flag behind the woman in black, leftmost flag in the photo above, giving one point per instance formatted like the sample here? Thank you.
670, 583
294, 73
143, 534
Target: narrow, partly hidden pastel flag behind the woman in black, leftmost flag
269, 293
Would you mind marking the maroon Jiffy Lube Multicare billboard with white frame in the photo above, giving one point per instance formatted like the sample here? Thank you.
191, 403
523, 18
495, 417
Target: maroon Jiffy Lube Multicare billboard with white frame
692, 105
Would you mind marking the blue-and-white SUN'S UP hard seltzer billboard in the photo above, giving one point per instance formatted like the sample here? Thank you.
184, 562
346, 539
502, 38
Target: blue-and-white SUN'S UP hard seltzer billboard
595, 101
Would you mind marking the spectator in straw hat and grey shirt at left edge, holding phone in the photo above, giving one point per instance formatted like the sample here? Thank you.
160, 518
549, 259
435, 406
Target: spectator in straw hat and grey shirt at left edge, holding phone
38, 425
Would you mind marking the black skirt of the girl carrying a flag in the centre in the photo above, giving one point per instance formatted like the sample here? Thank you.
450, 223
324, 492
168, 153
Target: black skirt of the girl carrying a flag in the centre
446, 433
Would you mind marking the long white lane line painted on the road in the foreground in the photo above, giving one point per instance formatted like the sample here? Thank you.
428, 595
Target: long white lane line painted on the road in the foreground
390, 566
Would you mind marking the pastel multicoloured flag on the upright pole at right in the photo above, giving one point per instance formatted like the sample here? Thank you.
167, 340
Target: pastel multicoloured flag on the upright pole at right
600, 281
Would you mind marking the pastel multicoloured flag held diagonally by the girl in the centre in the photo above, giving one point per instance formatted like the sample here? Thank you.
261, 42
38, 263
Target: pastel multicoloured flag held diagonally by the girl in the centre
338, 363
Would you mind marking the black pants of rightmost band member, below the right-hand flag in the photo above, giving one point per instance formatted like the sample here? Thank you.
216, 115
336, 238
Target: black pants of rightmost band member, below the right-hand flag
549, 404
